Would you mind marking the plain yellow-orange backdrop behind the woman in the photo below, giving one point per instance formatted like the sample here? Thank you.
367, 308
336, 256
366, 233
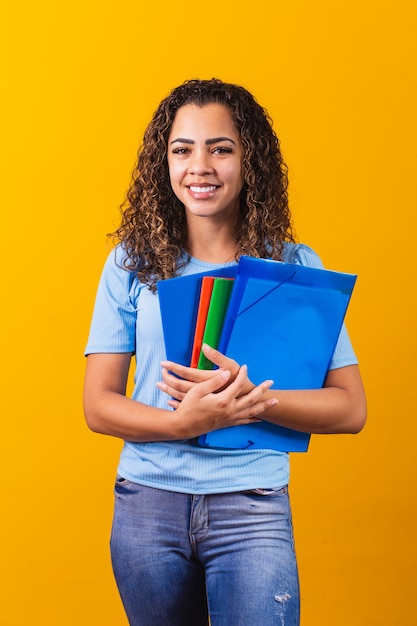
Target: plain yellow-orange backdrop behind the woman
80, 80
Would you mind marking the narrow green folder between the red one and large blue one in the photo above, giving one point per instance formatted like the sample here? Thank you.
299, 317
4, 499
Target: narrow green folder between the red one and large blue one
219, 301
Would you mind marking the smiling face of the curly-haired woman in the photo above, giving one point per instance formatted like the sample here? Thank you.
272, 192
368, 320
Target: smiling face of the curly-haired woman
205, 161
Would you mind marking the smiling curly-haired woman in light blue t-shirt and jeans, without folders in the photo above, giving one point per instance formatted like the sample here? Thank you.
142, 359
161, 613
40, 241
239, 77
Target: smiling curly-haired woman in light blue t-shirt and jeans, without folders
200, 532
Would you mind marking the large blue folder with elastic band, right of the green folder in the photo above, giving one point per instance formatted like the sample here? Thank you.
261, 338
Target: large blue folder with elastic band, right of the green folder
283, 321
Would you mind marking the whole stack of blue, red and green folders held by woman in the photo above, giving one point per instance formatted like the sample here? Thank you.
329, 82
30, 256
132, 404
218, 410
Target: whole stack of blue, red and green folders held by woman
282, 320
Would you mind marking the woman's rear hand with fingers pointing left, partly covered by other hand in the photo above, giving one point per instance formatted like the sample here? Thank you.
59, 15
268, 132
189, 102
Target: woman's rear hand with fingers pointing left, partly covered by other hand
190, 376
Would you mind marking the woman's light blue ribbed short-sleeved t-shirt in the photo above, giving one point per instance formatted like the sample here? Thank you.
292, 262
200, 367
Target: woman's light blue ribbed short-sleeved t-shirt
127, 318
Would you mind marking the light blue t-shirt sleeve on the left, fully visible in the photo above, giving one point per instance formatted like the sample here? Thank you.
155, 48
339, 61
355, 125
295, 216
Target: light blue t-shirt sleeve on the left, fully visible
113, 326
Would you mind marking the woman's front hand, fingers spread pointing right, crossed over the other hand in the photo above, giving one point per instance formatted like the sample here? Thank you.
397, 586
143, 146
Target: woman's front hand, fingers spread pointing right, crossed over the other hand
209, 405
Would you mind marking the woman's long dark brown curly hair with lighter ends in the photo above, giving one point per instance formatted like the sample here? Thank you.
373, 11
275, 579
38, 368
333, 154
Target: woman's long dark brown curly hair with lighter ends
153, 230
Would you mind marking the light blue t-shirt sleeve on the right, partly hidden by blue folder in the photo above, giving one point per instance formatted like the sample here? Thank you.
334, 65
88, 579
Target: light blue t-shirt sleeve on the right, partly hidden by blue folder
301, 254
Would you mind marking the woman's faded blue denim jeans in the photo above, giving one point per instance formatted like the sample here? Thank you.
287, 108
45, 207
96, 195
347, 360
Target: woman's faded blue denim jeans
179, 558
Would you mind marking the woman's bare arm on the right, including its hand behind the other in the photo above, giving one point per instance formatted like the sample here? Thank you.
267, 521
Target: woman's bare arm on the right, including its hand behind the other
339, 407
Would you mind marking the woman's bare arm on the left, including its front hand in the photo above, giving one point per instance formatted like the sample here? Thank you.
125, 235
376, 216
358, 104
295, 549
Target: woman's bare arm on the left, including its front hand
108, 410
